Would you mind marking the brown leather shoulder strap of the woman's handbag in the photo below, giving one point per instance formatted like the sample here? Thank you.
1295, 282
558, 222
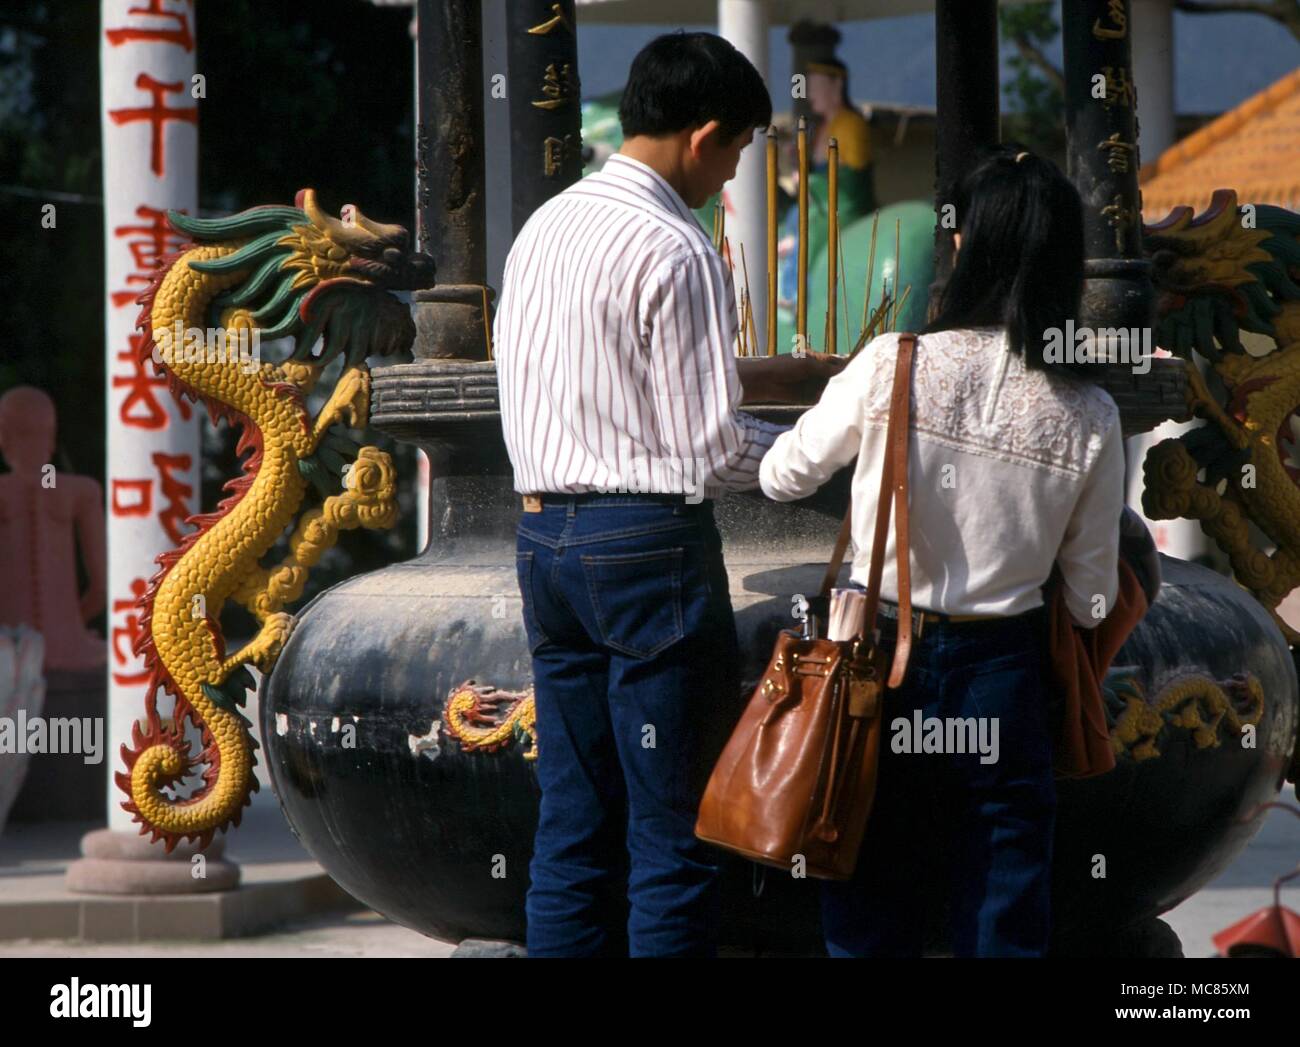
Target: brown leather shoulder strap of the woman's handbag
894, 494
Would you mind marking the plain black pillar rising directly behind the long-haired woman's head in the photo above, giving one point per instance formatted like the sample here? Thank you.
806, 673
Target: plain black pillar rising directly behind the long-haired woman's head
967, 97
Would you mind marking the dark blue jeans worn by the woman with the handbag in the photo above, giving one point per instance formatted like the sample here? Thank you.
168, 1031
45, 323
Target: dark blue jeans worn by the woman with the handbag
957, 824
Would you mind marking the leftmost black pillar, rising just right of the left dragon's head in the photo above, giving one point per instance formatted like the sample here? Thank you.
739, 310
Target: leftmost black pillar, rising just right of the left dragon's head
452, 319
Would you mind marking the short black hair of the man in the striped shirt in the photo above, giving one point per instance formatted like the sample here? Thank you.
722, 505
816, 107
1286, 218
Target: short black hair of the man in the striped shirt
684, 80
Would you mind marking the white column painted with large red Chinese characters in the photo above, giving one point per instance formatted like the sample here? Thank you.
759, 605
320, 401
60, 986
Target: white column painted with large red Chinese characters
150, 106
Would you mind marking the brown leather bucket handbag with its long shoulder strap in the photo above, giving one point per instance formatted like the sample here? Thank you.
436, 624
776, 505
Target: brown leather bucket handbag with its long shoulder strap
799, 776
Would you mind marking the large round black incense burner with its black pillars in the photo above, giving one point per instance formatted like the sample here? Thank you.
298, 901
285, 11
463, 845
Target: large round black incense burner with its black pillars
398, 720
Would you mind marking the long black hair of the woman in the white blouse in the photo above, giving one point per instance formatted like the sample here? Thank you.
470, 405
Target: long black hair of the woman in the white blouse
1021, 262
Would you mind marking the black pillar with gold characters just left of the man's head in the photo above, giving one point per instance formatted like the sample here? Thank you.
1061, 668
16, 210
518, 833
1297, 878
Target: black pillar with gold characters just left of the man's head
545, 106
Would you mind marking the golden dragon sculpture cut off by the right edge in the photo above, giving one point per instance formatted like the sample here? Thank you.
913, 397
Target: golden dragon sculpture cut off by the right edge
1227, 272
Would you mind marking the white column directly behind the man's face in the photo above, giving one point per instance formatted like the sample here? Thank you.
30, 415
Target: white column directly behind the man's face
744, 24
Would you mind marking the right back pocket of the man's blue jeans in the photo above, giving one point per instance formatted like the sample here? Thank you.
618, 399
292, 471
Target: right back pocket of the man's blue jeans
638, 599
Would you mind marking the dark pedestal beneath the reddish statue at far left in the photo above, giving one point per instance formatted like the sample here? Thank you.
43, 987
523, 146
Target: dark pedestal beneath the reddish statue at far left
63, 786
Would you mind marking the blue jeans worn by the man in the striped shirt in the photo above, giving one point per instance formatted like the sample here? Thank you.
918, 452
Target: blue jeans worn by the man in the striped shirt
636, 673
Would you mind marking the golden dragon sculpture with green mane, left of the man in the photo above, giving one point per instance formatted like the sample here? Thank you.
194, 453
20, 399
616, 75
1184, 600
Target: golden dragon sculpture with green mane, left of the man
278, 272
